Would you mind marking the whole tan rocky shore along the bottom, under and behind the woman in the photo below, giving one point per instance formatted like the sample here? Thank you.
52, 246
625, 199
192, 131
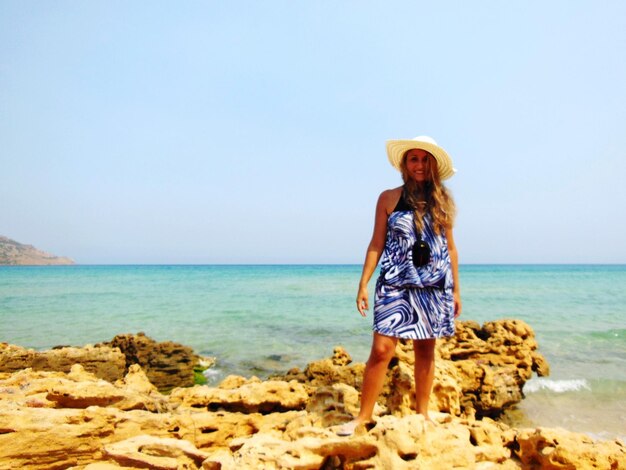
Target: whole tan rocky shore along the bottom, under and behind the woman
105, 407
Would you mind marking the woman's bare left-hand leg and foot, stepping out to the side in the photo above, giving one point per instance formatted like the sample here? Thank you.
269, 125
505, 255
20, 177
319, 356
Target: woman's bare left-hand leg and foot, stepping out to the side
383, 349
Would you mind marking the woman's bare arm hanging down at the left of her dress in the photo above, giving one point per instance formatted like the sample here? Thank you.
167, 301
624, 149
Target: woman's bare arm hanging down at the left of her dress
374, 249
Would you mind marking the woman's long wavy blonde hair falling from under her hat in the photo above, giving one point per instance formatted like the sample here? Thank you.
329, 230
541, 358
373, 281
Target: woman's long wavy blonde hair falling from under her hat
430, 197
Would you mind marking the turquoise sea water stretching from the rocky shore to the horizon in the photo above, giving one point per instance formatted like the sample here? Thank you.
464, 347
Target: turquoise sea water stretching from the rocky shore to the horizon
263, 319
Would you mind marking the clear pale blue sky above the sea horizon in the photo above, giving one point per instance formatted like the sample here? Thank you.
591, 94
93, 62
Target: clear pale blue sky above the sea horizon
247, 131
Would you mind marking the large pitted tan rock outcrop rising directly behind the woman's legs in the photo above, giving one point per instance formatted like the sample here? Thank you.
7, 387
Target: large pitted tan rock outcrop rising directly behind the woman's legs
479, 372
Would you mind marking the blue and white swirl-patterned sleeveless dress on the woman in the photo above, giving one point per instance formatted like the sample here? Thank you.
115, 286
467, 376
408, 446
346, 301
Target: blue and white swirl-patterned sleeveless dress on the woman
413, 303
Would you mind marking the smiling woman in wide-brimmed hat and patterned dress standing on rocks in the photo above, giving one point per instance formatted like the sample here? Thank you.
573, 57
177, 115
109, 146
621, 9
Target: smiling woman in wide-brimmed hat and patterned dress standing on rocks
417, 293
